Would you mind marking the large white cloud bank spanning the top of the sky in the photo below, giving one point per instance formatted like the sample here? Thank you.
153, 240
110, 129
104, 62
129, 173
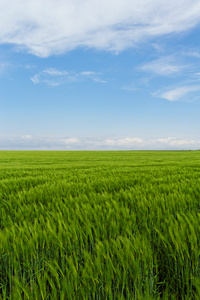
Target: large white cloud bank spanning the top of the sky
54, 26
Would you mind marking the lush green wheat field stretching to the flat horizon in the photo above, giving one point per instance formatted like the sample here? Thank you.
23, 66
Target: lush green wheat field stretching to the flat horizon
99, 225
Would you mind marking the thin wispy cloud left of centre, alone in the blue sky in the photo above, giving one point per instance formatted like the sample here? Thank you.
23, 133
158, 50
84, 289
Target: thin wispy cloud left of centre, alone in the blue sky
56, 77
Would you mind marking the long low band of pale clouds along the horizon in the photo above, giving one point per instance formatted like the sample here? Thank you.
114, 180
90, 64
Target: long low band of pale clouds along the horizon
31, 142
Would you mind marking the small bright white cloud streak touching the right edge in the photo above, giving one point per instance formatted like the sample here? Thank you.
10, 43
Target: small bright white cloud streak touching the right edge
179, 93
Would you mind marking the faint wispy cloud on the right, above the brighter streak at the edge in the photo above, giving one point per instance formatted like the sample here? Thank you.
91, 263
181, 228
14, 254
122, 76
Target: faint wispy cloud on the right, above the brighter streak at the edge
162, 66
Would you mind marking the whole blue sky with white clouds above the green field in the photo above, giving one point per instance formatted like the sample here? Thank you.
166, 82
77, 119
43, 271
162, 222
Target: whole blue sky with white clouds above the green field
99, 75
